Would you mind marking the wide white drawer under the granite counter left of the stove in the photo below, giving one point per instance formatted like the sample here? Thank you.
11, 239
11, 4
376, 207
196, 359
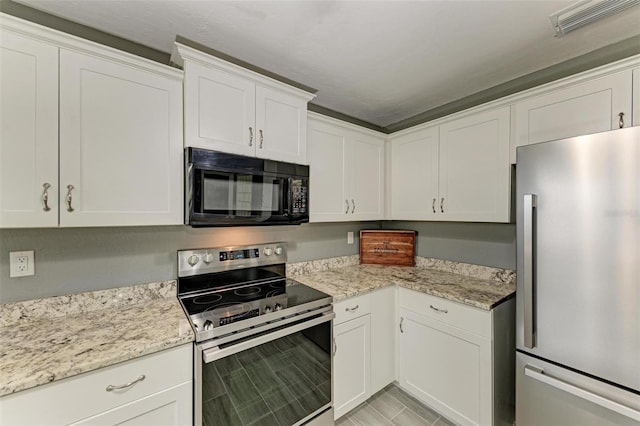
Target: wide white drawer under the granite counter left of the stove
85, 395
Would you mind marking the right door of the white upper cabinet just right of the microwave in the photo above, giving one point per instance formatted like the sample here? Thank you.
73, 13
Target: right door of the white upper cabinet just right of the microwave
365, 168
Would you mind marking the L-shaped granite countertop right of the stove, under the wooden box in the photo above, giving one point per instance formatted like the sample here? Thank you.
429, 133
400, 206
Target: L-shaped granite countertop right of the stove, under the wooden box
495, 286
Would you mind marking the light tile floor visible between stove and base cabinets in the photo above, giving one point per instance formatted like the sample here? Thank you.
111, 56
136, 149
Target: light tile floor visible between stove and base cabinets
392, 406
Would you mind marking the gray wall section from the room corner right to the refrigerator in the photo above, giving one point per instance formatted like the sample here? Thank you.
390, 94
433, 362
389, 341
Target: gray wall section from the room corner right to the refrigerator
489, 244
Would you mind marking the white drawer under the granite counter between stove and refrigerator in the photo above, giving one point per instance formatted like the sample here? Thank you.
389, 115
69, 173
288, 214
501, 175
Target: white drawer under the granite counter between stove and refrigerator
465, 317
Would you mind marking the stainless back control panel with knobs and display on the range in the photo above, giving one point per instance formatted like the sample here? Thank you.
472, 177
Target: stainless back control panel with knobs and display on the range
204, 261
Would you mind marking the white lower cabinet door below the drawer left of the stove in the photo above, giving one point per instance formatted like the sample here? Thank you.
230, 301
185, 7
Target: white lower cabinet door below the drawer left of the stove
170, 407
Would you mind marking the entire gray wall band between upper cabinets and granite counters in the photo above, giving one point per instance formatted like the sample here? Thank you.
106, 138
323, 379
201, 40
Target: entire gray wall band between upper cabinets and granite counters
86, 259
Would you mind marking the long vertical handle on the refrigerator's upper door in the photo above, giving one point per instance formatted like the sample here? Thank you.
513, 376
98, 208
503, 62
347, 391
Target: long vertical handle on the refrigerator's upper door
530, 201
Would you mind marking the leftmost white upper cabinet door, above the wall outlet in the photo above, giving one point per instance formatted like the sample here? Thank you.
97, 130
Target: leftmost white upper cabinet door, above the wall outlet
29, 132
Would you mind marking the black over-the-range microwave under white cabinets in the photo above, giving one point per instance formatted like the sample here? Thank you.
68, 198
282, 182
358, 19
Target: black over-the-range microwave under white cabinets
223, 189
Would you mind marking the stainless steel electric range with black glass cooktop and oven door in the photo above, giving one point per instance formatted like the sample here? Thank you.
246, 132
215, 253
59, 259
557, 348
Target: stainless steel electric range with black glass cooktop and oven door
263, 350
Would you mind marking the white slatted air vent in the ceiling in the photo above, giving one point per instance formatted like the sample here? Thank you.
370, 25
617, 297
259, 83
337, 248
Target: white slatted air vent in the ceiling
585, 12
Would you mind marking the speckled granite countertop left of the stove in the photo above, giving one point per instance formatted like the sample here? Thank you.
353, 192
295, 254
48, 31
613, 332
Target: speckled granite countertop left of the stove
50, 339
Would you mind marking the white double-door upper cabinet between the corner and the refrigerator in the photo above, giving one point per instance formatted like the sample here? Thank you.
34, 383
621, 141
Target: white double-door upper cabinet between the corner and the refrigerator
458, 171
